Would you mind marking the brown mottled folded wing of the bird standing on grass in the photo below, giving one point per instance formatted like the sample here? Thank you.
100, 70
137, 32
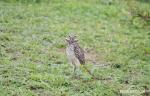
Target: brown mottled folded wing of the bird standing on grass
79, 53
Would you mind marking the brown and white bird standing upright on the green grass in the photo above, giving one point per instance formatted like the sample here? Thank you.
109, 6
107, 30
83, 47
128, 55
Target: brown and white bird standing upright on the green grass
74, 52
